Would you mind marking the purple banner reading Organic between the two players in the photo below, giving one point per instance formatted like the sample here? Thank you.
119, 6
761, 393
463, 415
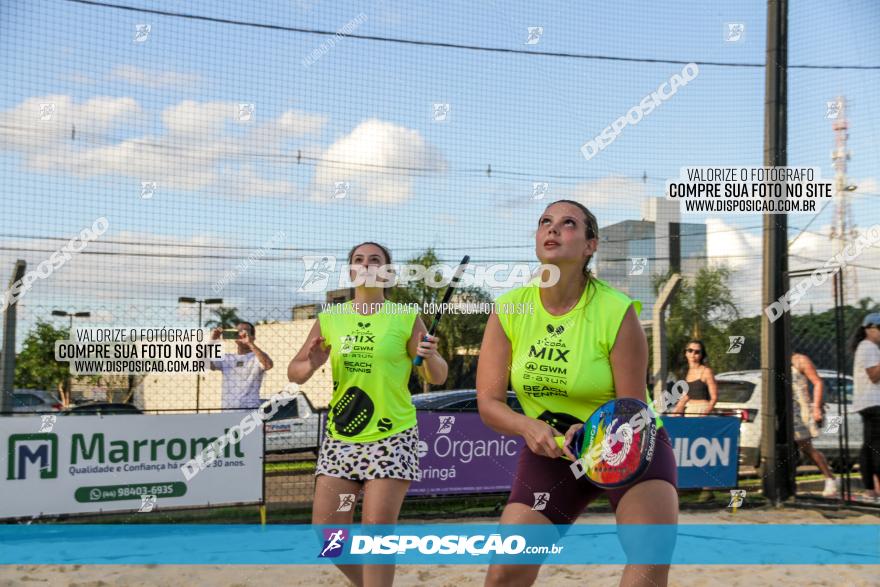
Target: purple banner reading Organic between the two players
459, 454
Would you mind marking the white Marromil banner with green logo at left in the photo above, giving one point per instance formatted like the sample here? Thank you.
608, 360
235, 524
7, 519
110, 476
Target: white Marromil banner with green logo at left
82, 464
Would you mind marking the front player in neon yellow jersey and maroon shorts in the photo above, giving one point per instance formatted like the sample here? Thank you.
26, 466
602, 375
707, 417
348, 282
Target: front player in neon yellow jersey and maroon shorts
581, 346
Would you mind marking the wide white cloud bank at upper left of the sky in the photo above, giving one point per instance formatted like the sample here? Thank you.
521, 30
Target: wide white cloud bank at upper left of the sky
204, 145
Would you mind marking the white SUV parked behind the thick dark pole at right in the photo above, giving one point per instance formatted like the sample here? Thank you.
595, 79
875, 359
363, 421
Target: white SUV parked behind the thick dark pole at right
739, 394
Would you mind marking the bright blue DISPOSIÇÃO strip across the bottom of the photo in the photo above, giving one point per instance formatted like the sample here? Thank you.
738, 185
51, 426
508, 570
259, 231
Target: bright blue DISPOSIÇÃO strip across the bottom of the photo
472, 544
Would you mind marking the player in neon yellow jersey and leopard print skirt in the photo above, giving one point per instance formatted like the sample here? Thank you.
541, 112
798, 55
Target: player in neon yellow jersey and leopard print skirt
371, 439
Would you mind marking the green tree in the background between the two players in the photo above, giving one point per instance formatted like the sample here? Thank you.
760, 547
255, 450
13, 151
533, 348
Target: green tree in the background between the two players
458, 331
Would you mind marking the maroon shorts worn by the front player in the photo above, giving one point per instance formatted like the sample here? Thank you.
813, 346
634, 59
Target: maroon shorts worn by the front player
563, 497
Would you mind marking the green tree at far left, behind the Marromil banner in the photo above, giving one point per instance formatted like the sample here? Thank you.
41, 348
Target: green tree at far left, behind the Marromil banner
35, 366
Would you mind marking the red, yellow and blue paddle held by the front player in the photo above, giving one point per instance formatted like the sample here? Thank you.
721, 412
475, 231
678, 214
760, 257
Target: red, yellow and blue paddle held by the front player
616, 444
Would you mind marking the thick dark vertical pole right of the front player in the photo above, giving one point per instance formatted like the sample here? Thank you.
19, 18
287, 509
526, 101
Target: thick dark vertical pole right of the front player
777, 435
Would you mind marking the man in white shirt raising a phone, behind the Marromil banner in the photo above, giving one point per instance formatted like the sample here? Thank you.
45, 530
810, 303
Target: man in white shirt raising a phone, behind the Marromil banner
242, 371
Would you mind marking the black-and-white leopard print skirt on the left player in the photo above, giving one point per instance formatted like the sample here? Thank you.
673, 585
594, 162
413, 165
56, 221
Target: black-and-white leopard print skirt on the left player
394, 457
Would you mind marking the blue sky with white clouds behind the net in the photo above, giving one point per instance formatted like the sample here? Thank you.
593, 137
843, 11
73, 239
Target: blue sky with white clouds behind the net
523, 114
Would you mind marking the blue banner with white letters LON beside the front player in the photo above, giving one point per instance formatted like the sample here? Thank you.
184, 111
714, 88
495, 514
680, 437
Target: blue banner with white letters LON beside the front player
706, 450
